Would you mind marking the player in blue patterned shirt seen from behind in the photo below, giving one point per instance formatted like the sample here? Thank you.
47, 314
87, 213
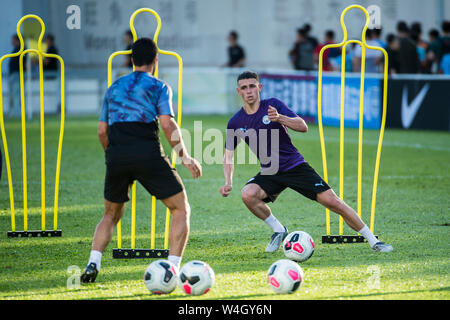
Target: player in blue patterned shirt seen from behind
128, 131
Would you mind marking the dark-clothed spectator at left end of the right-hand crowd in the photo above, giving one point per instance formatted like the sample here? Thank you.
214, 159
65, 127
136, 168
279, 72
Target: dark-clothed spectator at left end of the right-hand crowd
302, 54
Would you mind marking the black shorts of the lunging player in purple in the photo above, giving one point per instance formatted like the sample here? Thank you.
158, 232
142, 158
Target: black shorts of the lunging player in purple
302, 178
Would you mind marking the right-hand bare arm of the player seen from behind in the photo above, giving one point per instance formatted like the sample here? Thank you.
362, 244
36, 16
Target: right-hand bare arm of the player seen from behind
173, 135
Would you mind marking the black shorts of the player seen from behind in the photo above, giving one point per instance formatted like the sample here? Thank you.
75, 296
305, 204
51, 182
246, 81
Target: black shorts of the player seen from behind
156, 175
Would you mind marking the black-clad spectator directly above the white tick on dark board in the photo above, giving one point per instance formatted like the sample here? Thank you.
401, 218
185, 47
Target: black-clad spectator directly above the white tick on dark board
408, 57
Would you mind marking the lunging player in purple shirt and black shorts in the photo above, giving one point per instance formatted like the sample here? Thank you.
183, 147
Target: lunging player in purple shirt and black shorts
263, 125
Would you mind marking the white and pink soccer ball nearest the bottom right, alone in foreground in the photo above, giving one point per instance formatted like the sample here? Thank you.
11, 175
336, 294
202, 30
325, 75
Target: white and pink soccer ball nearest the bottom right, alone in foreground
285, 276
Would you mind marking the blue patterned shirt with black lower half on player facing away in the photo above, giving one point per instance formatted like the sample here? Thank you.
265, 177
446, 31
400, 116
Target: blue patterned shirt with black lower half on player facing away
131, 108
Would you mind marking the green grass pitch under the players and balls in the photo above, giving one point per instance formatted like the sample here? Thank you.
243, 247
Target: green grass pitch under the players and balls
412, 214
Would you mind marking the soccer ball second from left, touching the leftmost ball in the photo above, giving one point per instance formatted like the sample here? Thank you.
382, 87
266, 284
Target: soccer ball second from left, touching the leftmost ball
196, 278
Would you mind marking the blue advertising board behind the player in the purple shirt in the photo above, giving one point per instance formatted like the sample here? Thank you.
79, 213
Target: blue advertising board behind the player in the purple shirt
299, 92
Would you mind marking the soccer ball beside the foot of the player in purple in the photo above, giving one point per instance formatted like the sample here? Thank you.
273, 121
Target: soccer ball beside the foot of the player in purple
298, 246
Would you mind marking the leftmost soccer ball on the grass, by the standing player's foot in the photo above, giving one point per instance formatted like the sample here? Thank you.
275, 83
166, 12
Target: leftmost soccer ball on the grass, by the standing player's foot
161, 277
